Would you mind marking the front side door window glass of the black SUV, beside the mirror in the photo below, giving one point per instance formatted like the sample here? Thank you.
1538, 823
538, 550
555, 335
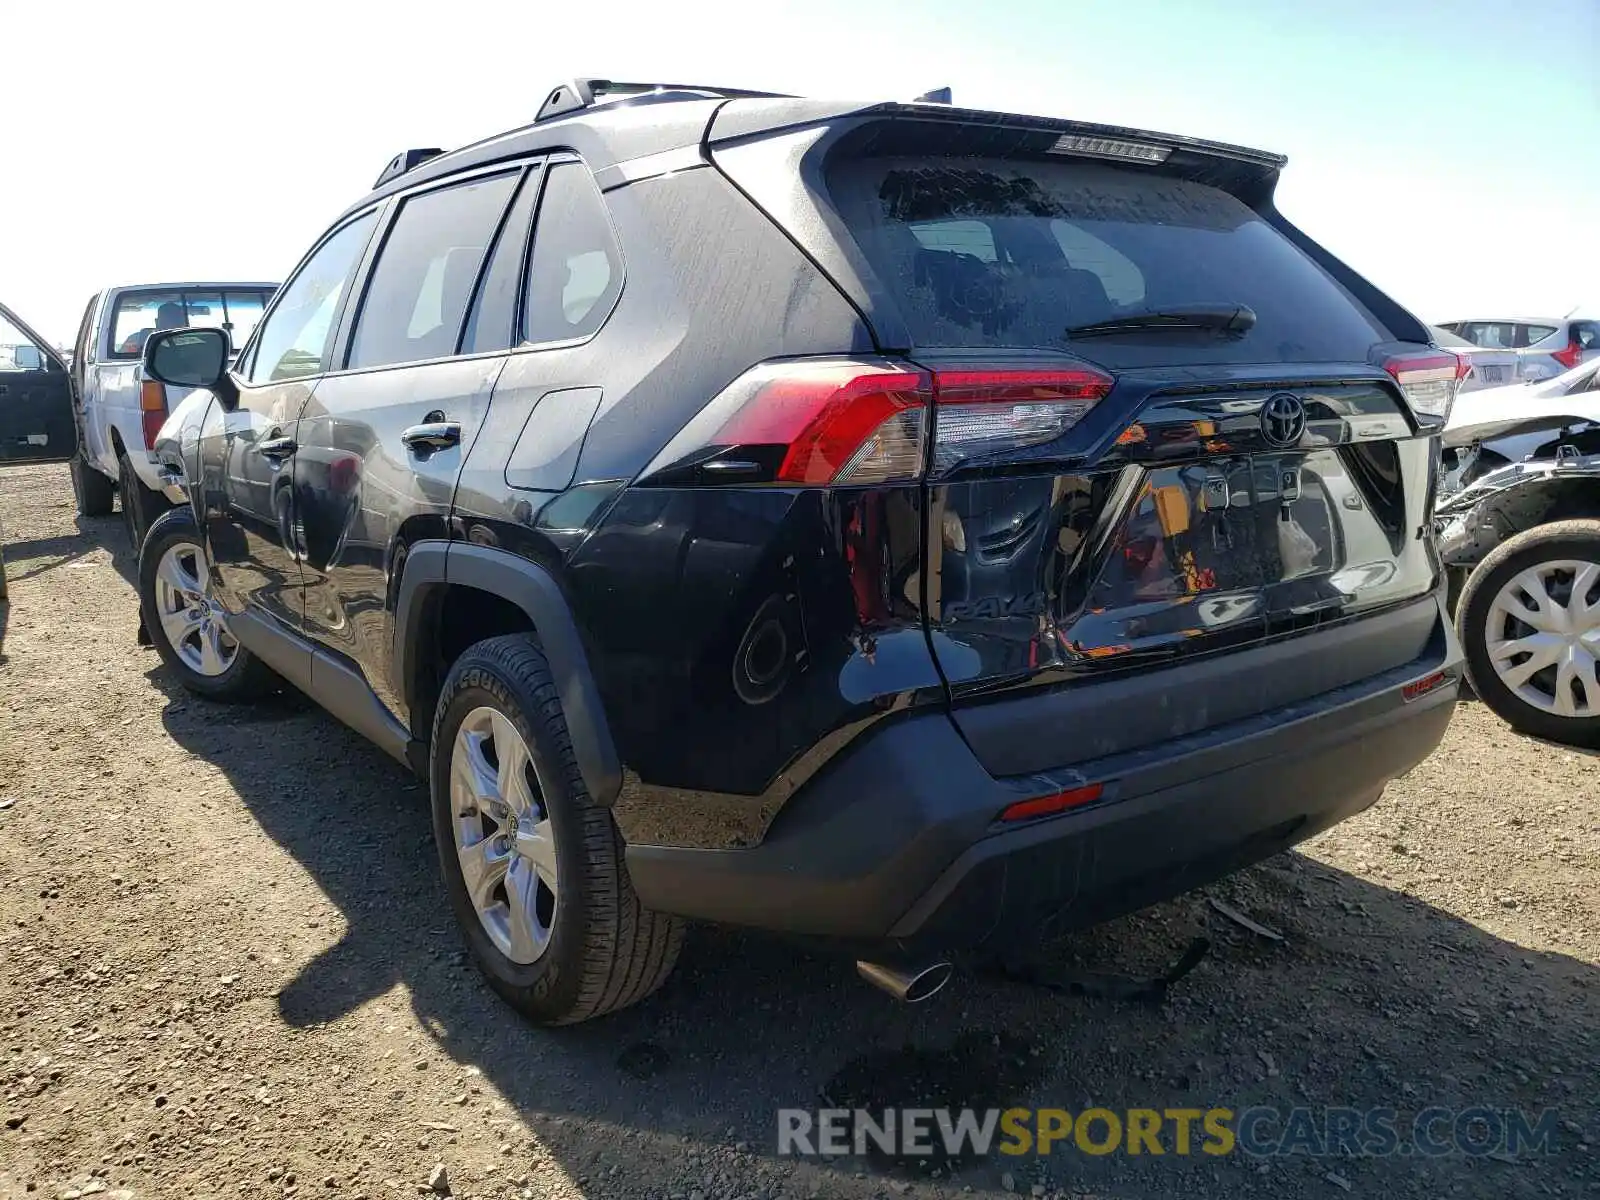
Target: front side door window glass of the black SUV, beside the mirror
295, 337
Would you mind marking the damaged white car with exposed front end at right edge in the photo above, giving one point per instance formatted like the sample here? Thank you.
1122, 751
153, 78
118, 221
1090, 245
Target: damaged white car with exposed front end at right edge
1519, 530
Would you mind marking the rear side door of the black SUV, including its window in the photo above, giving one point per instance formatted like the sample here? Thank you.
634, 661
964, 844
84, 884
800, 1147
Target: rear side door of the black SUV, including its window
382, 439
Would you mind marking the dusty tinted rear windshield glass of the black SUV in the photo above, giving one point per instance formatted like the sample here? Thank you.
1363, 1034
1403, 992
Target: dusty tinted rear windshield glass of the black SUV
1014, 254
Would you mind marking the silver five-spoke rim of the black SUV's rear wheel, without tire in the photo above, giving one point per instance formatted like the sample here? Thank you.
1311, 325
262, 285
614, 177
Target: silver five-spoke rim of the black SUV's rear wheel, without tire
505, 838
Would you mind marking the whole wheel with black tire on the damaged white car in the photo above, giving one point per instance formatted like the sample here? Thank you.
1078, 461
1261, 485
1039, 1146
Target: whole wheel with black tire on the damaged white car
1530, 626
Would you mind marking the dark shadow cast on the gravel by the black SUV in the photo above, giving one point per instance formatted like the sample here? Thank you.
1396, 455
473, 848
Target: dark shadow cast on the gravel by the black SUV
1370, 999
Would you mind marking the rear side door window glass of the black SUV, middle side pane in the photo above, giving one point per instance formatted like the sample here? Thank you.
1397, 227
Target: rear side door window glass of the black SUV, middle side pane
423, 282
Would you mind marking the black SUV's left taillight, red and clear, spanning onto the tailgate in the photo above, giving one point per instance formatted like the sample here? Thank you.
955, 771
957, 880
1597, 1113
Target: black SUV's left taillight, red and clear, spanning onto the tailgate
855, 422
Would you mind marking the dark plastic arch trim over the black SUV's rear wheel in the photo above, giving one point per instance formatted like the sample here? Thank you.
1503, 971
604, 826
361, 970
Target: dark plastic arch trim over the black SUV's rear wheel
434, 566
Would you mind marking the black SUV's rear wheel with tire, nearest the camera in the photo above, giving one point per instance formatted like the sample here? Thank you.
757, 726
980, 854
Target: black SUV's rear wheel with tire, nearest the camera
534, 866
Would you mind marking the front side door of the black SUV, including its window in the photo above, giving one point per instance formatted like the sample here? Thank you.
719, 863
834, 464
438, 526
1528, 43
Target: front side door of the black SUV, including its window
242, 492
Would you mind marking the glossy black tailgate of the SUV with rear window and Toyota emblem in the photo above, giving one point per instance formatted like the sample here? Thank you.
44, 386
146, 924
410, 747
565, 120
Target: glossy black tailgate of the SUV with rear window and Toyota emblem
1127, 473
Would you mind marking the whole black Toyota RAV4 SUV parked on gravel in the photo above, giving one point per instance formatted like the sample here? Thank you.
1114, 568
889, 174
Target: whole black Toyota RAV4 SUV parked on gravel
895, 526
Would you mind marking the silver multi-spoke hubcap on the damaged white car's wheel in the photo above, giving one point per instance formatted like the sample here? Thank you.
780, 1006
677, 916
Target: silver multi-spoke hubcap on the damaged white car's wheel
1543, 638
